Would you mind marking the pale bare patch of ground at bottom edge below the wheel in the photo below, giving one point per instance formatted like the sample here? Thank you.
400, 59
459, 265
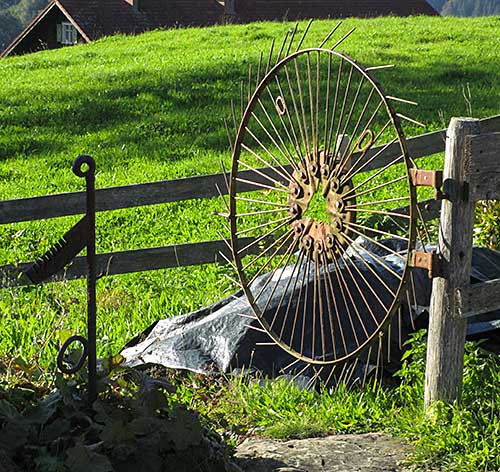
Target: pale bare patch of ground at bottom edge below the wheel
373, 452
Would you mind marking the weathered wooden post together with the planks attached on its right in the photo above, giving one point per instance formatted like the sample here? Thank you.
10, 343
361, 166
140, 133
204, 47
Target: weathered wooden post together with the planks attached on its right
471, 173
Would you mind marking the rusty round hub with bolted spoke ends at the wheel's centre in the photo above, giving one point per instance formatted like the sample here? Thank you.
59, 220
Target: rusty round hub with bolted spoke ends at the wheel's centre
321, 173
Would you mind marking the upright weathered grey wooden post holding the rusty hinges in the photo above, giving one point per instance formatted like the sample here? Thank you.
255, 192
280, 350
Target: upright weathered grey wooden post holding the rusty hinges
447, 330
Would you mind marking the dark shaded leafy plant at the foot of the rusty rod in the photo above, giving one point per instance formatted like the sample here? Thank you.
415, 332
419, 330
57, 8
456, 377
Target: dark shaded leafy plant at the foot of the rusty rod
134, 425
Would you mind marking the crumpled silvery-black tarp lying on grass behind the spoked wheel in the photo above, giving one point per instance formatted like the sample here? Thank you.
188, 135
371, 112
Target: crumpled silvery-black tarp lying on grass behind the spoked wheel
220, 338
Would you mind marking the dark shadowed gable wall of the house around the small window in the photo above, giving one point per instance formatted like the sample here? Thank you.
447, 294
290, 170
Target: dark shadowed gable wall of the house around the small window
43, 35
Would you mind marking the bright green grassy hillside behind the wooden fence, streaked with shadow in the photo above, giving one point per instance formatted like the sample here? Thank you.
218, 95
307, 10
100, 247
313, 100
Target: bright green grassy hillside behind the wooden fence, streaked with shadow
150, 108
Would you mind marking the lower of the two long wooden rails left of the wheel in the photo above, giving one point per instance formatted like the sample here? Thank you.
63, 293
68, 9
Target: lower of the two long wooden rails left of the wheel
138, 260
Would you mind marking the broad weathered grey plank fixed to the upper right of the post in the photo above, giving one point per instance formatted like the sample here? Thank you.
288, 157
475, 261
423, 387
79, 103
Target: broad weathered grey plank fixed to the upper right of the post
483, 172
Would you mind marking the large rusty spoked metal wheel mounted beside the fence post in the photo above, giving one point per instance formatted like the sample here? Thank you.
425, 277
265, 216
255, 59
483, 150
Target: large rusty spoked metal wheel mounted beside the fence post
308, 198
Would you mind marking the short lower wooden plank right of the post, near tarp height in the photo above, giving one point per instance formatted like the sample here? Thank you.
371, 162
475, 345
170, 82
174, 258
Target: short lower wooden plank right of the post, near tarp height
476, 299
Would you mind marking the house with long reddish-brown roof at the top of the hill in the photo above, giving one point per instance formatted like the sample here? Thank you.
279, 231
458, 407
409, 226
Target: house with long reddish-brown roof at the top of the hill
67, 22
